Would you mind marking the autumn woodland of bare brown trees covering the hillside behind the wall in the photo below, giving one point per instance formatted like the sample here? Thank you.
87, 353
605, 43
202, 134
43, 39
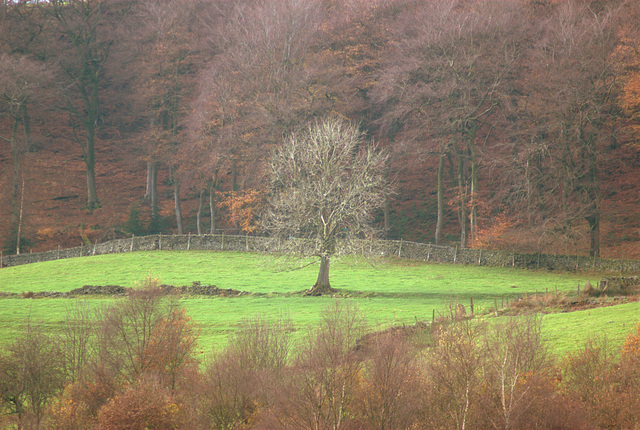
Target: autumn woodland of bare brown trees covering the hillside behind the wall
509, 124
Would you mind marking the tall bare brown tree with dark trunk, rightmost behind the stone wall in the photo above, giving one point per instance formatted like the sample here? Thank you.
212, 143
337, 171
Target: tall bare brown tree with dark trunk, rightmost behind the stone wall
575, 82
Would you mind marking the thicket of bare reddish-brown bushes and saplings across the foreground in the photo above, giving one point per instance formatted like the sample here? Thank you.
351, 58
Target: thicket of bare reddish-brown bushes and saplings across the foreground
135, 364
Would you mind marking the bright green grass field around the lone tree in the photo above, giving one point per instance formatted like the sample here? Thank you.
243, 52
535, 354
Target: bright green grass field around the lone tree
390, 292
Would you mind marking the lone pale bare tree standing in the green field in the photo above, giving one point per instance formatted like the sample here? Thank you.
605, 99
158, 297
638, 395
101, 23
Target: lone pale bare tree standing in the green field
325, 183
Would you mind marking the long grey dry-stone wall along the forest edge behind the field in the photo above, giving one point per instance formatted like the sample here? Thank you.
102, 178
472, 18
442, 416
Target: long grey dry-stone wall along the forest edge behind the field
400, 248
